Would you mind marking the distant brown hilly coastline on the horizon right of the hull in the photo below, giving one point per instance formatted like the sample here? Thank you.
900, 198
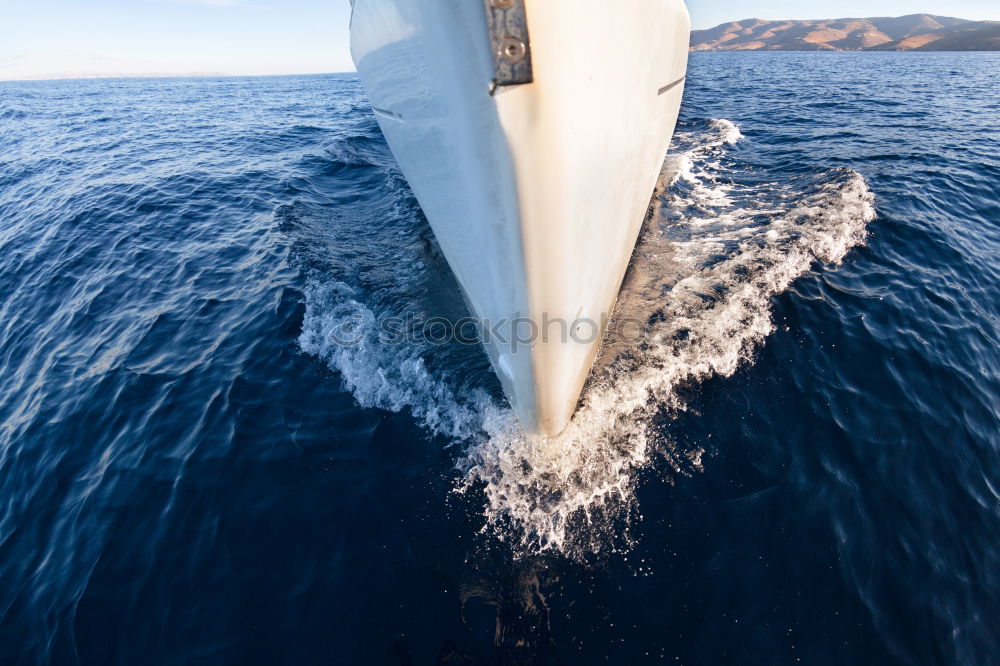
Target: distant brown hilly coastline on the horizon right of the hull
917, 32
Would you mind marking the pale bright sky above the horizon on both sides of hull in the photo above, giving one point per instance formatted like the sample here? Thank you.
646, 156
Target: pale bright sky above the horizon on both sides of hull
67, 38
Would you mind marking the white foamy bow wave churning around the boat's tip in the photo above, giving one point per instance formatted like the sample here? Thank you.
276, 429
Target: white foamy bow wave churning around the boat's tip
710, 263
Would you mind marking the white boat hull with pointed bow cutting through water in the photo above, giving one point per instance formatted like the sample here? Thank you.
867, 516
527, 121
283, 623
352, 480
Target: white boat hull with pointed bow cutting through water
535, 193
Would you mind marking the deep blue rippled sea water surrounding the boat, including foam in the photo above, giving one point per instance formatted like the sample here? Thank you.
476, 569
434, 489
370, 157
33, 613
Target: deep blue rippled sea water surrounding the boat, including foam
799, 461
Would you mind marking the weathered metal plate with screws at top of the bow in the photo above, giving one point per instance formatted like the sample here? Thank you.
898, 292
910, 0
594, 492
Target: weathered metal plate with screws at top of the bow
507, 23
